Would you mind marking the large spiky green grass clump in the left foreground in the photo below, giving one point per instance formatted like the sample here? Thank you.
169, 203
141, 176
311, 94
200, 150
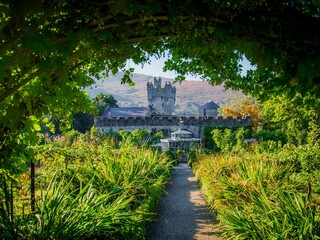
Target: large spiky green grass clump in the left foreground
85, 214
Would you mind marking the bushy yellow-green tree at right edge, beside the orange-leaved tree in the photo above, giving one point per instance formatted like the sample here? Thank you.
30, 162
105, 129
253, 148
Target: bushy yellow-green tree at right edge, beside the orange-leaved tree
297, 117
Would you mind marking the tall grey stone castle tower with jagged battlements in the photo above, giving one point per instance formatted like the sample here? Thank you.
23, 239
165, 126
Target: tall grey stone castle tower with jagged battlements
161, 100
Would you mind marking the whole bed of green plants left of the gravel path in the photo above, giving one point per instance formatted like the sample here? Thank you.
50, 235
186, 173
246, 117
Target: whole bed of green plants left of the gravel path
87, 189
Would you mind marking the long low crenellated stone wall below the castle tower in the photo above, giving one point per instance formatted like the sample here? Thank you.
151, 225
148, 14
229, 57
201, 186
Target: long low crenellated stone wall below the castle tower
167, 124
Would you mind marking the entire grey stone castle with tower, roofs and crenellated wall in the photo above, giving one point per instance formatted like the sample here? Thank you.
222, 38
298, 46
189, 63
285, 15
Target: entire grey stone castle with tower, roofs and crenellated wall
158, 116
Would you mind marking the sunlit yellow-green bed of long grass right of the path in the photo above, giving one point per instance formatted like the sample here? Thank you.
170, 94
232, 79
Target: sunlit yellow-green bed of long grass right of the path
264, 194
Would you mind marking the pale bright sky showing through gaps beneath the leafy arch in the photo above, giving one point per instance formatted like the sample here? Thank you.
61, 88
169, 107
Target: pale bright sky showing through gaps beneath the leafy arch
156, 65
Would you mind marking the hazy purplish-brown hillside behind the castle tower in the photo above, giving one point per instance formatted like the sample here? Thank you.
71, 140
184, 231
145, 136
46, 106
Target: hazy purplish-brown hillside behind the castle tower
190, 94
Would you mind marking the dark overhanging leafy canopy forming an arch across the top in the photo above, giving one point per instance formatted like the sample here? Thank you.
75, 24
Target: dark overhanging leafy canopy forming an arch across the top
49, 50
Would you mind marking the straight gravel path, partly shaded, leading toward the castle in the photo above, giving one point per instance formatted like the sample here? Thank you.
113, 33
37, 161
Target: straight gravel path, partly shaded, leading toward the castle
183, 213
